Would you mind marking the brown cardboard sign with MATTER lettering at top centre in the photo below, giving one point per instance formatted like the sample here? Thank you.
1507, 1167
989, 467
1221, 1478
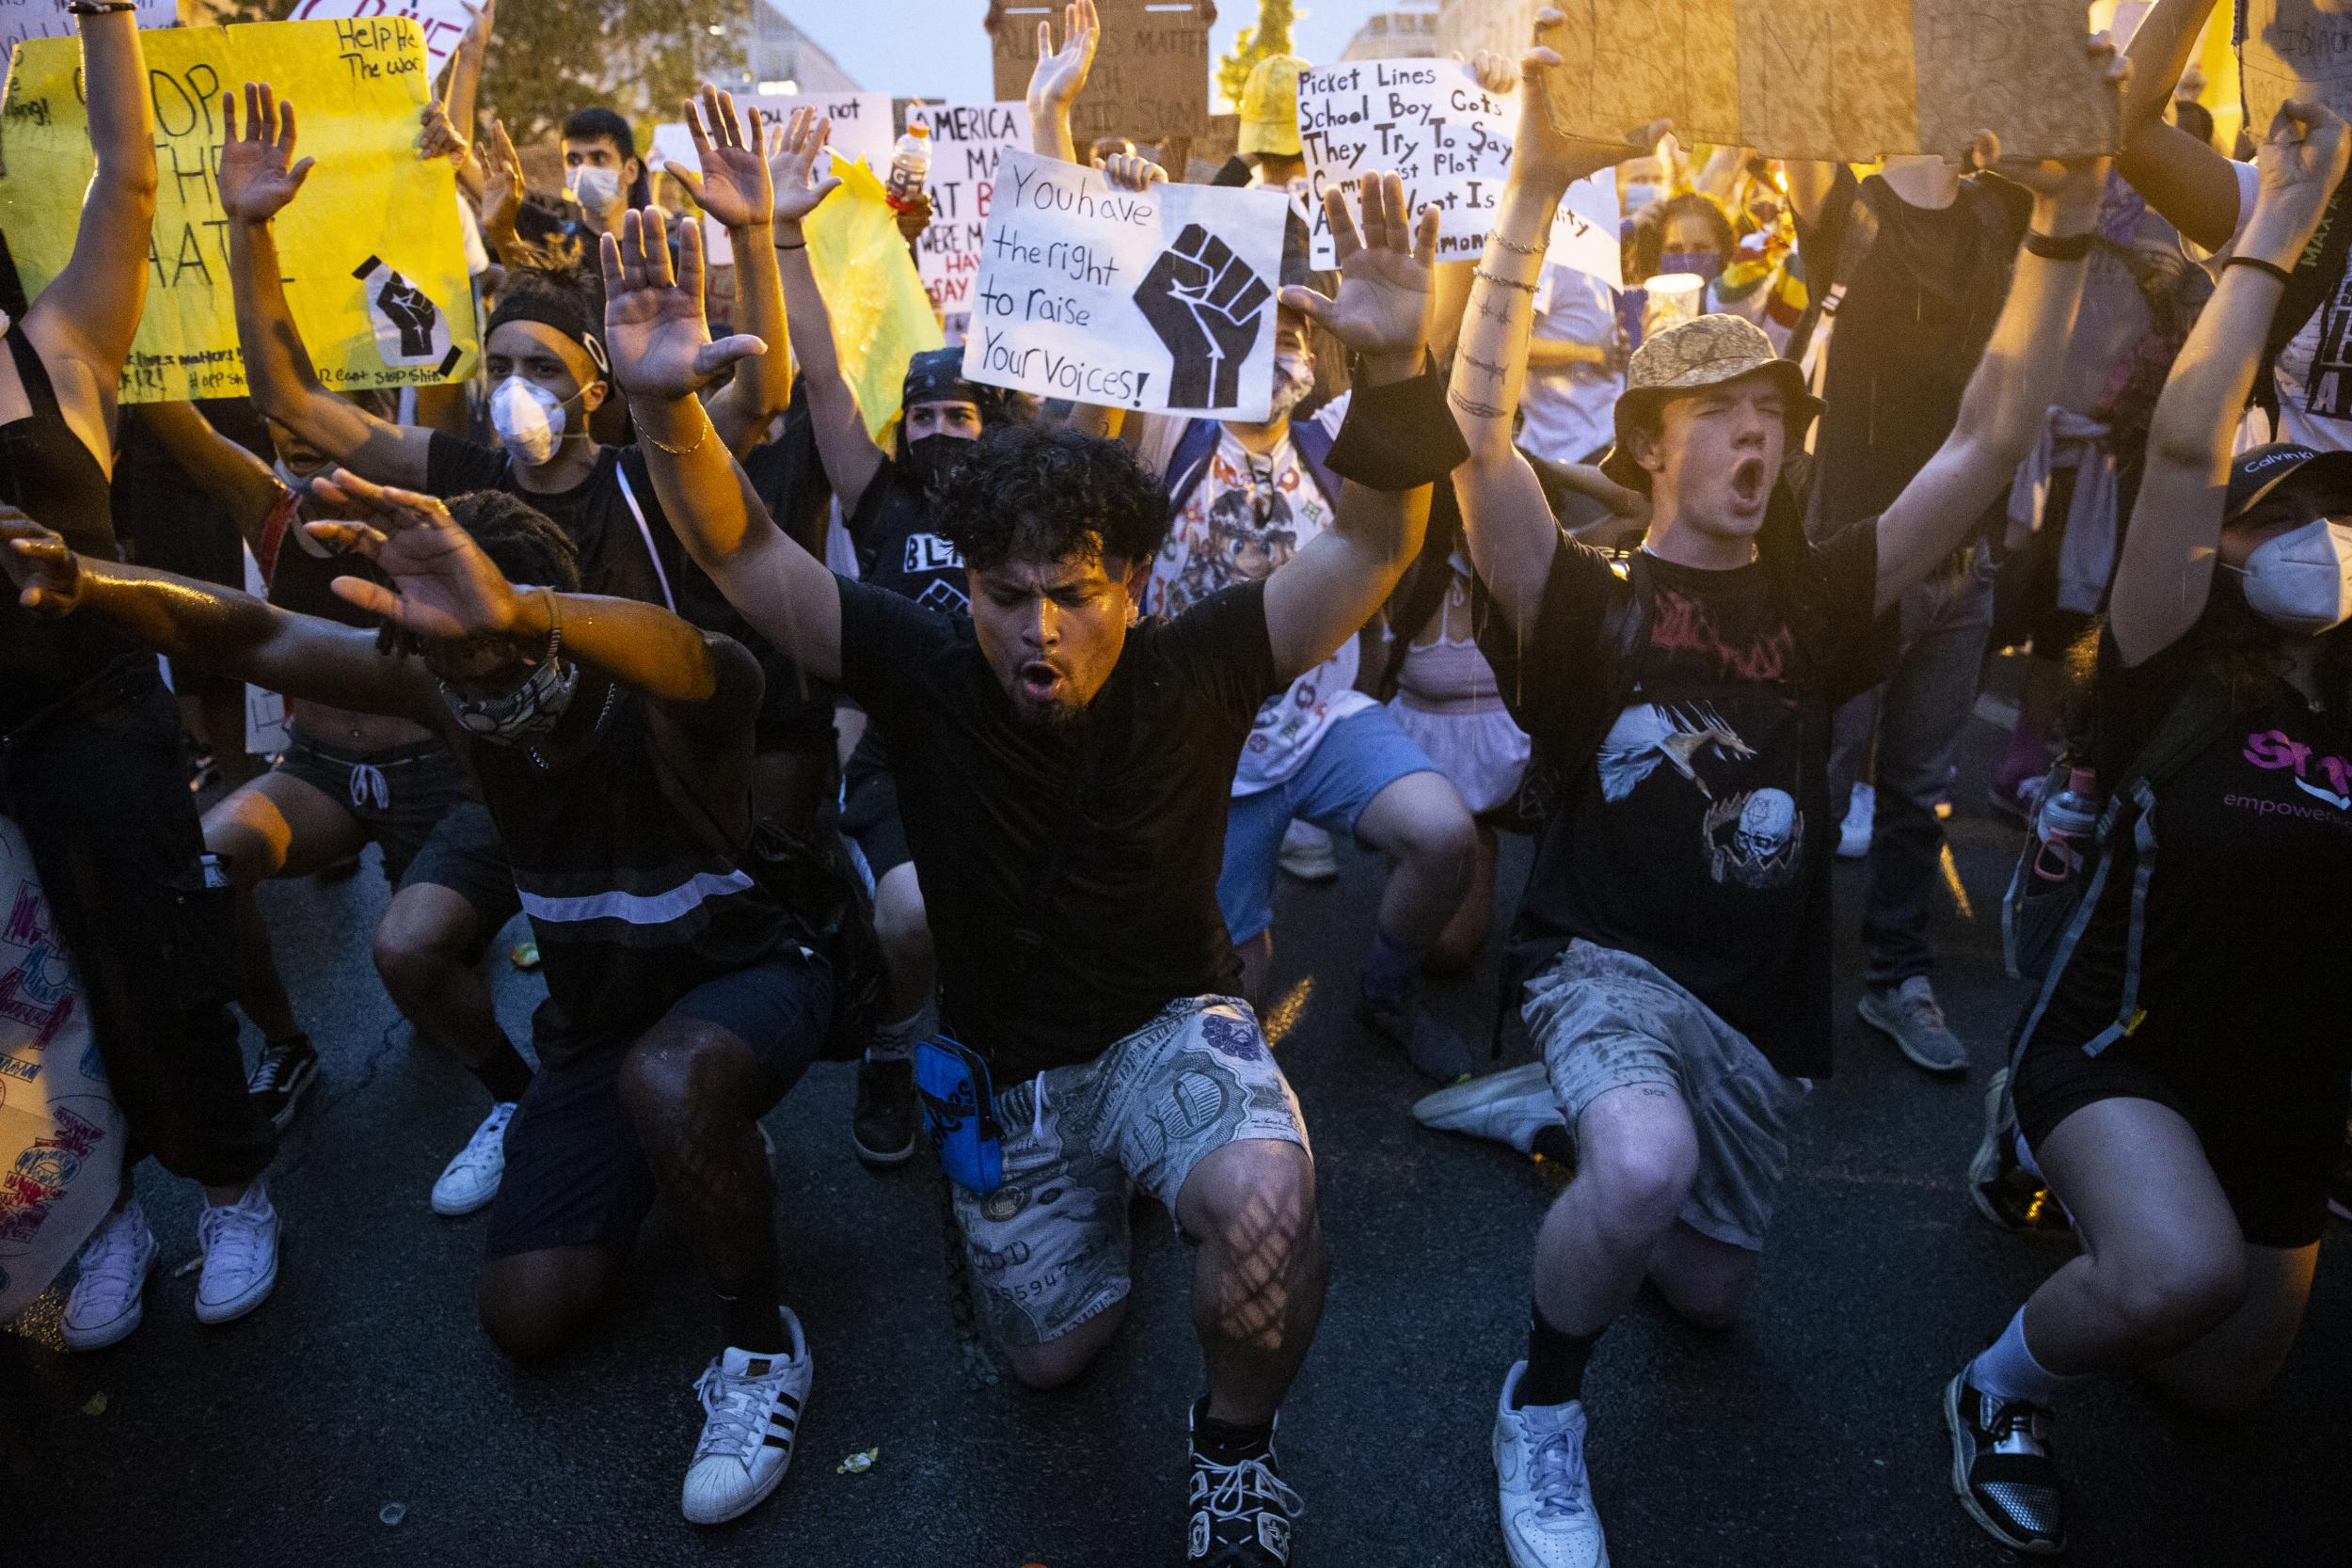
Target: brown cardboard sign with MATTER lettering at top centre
1151, 67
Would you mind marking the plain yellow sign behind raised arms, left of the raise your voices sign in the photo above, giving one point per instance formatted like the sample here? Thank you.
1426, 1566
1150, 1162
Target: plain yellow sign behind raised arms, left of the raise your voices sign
881, 311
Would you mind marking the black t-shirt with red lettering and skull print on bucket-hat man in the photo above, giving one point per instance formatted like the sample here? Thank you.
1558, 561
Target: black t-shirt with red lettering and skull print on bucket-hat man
1699, 836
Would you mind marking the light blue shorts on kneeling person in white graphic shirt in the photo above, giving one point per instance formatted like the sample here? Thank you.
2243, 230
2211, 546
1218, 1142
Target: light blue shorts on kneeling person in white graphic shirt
1349, 768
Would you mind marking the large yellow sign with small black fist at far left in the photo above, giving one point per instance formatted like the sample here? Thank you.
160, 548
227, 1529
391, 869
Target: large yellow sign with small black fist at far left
373, 260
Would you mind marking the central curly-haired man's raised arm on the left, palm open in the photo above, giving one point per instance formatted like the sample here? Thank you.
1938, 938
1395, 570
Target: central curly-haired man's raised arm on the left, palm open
662, 354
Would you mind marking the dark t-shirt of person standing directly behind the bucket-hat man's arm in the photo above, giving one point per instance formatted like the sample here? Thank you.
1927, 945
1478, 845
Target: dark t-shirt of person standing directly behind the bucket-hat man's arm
1923, 288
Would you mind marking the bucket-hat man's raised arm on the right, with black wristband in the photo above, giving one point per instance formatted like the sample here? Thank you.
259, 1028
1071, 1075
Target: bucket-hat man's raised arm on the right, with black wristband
2010, 396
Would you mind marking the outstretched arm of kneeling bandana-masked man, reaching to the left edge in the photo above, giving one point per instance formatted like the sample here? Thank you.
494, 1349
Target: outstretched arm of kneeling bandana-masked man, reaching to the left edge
218, 629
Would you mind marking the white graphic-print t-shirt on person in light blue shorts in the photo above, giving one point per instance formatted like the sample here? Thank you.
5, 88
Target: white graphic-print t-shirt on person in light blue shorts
1248, 516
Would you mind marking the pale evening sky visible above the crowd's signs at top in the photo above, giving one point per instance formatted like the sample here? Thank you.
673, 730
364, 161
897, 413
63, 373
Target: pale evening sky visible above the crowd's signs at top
937, 48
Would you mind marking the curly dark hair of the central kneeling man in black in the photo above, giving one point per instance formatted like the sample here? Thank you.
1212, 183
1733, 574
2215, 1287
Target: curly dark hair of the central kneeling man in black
1048, 495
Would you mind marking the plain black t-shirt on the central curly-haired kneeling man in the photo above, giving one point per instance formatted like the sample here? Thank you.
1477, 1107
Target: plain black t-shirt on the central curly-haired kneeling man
1132, 918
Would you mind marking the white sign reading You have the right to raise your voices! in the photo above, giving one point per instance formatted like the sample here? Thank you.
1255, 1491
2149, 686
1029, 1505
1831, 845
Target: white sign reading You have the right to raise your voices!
1156, 300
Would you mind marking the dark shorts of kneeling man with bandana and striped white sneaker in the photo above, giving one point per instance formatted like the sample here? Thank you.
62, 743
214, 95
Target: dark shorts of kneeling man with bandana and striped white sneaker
575, 1174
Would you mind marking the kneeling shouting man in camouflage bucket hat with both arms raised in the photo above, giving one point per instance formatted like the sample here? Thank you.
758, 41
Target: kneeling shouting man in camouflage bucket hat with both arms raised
1671, 956
